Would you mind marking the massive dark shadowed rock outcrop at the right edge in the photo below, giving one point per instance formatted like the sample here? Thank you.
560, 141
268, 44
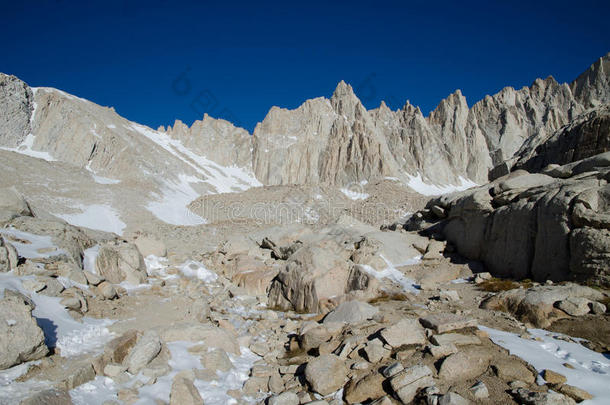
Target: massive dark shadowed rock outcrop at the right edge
535, 225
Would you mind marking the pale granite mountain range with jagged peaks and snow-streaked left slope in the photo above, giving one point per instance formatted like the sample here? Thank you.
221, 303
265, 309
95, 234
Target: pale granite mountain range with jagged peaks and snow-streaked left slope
106, 167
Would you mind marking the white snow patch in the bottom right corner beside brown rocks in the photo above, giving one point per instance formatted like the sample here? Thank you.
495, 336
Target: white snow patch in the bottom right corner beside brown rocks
591, 370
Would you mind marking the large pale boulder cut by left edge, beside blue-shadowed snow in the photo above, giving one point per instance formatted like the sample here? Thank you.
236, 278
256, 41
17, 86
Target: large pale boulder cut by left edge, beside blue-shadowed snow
21, 339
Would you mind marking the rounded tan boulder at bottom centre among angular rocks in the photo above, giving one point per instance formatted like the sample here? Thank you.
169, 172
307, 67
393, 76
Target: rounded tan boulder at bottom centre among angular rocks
326, 374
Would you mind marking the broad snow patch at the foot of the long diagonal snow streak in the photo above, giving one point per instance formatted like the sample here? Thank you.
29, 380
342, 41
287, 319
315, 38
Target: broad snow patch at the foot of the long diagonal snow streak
171, 205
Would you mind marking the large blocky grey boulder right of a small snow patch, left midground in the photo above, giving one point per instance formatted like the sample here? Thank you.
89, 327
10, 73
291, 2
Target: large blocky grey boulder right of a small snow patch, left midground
121, 261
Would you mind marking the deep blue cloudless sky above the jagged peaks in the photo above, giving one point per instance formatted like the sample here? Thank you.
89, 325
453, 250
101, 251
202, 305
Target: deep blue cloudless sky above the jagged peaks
246, 57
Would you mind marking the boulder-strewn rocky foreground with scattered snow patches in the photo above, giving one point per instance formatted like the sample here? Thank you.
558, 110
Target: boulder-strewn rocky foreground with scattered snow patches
333, 312
